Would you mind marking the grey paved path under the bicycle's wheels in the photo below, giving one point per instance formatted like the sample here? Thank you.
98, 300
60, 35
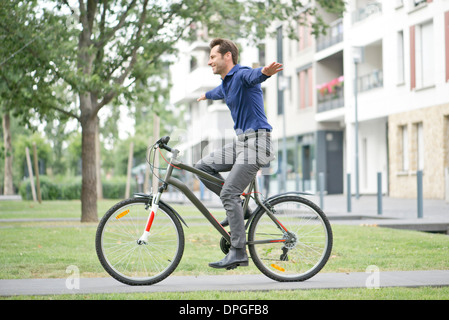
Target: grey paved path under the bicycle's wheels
227, 283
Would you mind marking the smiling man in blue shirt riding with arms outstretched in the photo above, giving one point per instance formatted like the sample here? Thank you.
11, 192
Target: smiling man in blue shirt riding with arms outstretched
252, 149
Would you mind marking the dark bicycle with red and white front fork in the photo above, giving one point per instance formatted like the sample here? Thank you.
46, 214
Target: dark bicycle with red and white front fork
140, 240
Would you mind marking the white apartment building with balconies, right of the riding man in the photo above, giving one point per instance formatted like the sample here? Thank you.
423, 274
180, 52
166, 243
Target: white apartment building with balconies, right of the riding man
371, 96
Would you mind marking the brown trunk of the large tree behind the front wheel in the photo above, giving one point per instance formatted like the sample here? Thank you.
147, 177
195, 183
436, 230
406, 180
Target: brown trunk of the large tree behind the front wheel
88, 158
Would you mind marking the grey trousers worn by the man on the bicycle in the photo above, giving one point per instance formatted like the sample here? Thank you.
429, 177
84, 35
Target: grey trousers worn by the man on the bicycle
242, 159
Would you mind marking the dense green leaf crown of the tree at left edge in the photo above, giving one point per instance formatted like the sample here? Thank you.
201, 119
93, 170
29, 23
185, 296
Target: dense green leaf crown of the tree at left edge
27, 87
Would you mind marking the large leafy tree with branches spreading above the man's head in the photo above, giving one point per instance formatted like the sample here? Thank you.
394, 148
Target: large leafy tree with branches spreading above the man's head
111, 46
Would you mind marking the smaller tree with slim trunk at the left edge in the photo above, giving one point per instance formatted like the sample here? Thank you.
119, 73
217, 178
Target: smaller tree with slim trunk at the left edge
26, 90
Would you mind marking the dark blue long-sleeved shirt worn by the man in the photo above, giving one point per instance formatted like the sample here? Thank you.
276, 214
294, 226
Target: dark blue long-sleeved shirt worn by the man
243, 95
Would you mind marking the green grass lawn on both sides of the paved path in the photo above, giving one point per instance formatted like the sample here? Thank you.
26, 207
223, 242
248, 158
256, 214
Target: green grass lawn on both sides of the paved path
45, 249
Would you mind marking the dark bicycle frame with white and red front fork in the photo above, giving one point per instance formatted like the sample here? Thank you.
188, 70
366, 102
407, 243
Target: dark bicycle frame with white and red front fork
170, 180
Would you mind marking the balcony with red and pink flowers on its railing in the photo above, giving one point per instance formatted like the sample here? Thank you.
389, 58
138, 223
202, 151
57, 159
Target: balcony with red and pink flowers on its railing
331, 95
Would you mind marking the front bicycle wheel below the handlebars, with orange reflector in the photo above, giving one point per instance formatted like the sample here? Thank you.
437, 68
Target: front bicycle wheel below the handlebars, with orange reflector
133, 262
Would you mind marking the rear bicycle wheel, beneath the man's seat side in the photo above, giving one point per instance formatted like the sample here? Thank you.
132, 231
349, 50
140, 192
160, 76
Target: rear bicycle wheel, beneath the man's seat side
297, 246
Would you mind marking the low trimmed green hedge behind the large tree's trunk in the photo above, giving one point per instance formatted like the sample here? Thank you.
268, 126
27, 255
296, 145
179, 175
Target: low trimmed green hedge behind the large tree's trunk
70, 188
